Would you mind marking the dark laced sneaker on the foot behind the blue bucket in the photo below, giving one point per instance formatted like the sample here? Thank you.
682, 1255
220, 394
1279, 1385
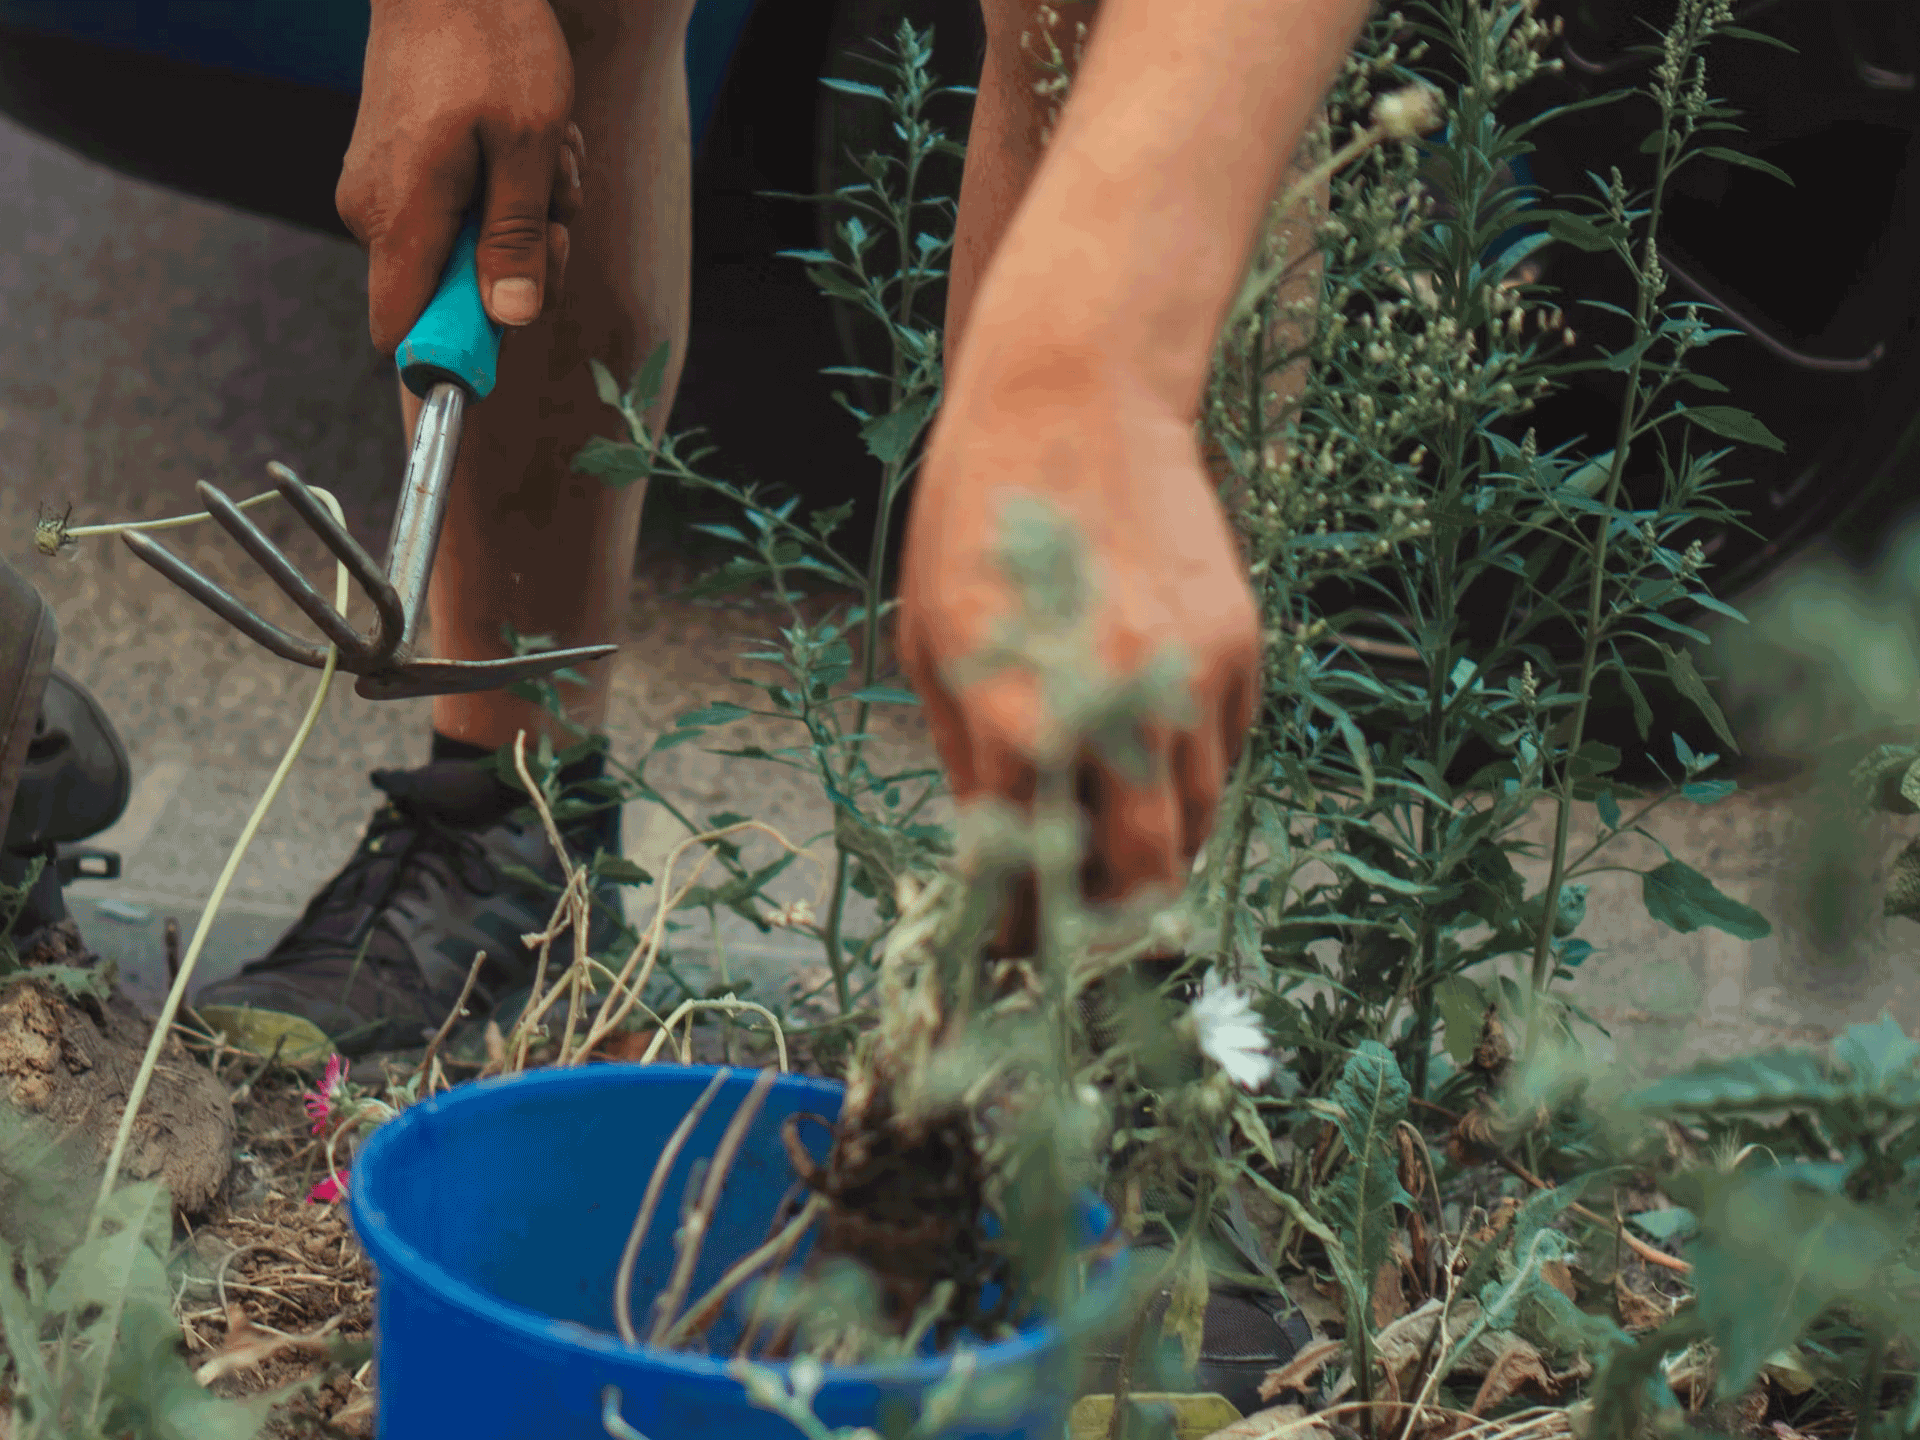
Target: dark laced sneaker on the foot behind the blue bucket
381, 953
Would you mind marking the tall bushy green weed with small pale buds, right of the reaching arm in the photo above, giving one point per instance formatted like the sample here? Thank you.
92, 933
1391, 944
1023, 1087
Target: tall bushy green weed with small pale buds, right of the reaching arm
1364, 867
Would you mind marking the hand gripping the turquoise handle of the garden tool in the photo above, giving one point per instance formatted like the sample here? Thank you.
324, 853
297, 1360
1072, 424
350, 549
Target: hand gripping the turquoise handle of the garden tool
462, 97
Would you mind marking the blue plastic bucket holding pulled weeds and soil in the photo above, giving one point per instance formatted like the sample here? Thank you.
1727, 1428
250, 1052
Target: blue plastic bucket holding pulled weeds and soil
496, 1216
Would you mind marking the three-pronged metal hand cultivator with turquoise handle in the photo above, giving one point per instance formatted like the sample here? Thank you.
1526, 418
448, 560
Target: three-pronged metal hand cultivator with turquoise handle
448, 360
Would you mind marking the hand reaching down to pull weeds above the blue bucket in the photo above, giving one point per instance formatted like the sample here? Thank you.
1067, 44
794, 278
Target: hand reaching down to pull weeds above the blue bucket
1166, 575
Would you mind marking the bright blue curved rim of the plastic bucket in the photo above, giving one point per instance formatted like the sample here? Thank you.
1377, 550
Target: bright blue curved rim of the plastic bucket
395, 1257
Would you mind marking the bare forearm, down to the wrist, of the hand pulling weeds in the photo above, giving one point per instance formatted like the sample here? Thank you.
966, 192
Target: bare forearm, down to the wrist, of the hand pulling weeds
1140, 224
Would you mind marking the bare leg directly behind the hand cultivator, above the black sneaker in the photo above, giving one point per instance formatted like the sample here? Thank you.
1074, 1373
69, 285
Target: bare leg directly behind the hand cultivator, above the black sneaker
529, 542
